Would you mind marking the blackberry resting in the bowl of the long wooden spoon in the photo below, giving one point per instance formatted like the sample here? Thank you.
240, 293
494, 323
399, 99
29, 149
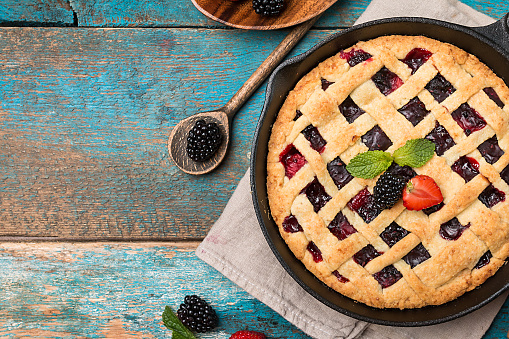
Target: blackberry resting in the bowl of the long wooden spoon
203, 140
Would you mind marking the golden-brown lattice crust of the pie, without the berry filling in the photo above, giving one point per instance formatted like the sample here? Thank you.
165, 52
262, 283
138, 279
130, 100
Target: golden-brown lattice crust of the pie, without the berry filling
453, 266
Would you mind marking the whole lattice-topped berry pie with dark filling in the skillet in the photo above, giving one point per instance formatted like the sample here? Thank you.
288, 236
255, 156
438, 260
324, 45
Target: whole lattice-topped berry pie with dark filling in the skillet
377, 95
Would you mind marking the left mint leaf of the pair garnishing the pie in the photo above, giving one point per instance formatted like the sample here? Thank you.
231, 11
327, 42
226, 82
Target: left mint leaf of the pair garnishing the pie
368, 165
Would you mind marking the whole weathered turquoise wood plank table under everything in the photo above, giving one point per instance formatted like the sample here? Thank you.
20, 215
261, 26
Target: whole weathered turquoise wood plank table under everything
97, 227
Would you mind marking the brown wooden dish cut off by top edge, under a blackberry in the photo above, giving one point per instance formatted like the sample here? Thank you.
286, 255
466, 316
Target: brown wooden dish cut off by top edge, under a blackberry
240, 14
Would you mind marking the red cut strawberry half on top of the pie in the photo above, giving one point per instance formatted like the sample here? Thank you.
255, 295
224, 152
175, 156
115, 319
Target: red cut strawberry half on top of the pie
421, 192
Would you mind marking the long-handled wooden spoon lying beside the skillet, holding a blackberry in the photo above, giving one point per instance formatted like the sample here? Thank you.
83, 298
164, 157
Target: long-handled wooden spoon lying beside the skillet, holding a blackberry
223, 116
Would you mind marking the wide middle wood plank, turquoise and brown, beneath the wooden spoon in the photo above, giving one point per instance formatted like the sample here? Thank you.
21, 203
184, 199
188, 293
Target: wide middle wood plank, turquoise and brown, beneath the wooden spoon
85, 117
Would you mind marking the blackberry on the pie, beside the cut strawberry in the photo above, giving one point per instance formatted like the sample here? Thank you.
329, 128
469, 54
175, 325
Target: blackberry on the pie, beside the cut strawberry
388, 190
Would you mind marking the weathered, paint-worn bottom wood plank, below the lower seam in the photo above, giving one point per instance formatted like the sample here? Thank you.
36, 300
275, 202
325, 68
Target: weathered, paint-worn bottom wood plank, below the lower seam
117, 291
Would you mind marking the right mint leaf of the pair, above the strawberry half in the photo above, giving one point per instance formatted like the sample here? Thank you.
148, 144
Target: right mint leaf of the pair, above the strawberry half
414, 153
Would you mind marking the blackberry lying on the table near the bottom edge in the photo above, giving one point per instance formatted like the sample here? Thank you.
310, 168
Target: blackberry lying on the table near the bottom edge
196, 314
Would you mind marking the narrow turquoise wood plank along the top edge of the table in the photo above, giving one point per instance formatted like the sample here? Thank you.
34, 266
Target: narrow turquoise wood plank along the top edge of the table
145, 13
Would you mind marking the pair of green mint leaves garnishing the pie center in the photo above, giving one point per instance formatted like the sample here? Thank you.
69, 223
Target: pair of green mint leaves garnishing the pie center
415, 153
